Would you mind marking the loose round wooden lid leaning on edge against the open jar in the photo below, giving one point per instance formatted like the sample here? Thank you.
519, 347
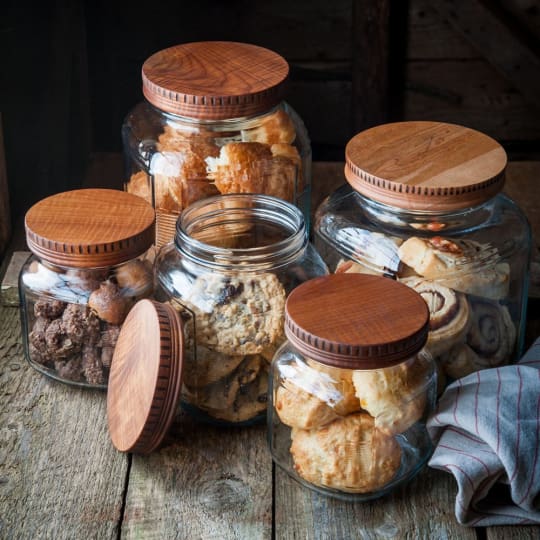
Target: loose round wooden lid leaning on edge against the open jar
145, 377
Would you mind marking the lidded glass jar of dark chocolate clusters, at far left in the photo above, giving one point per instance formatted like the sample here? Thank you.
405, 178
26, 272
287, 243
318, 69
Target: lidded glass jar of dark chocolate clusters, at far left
89, 265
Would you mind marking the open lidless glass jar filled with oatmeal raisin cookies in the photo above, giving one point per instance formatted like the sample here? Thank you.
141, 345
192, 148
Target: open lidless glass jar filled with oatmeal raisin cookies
228, 272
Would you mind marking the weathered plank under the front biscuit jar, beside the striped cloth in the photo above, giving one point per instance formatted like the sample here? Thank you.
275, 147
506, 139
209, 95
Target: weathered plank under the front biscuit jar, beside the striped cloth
300, 513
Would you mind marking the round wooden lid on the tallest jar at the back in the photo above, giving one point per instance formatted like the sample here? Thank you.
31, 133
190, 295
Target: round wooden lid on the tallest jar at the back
214, 80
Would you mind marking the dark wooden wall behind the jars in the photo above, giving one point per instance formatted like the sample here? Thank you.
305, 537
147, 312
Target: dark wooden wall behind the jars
71, 72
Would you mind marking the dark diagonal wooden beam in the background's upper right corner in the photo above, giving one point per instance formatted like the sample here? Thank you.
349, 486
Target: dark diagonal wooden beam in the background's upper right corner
479, 22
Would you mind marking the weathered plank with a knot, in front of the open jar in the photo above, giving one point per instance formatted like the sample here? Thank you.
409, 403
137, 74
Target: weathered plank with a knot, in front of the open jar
211, 483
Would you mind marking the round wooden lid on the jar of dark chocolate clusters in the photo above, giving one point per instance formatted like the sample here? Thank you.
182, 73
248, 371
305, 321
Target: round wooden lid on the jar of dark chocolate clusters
88, 228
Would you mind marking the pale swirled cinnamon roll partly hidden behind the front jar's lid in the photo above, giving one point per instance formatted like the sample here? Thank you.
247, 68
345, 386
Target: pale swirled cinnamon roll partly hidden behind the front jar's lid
449, 314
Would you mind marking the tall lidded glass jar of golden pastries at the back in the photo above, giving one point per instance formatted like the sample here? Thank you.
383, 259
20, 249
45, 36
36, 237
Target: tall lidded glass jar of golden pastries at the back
214, 121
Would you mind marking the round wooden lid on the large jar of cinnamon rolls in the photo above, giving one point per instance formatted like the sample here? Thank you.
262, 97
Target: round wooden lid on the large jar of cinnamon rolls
429, 166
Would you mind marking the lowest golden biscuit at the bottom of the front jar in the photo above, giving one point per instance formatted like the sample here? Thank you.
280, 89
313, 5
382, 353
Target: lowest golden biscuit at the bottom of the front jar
349, 454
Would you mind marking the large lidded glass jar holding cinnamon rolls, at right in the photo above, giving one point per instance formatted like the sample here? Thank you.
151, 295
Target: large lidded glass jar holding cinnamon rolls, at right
423, 205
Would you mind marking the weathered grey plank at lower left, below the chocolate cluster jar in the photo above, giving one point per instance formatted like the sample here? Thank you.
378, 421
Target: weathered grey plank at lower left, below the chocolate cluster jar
59, 475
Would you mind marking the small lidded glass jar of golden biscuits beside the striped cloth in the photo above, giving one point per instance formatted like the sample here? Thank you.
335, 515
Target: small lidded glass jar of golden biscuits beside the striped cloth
351, 388
